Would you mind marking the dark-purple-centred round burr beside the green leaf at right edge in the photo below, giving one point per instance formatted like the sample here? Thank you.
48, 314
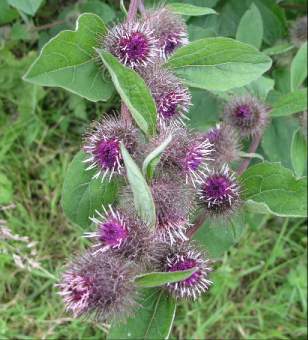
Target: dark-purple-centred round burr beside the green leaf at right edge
219, 192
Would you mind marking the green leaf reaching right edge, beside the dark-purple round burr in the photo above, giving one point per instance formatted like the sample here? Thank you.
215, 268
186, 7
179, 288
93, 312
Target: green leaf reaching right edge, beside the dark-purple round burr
275, 187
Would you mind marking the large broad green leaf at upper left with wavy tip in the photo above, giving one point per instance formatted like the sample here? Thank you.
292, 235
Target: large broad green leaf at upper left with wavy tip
68, 61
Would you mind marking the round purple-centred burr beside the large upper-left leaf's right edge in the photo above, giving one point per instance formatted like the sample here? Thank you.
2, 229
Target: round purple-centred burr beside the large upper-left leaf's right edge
134, 44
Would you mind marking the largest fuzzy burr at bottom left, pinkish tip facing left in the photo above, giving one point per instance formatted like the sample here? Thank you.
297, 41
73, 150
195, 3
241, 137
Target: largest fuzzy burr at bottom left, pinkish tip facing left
101, 285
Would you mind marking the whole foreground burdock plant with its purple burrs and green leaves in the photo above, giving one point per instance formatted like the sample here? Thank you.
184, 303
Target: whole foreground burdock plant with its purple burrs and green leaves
156, 198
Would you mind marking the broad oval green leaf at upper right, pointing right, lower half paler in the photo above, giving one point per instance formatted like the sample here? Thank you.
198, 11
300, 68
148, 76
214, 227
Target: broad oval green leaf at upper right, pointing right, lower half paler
218, 64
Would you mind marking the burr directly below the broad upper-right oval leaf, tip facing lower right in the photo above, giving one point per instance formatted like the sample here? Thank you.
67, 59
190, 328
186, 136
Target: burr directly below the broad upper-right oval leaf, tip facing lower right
171, 96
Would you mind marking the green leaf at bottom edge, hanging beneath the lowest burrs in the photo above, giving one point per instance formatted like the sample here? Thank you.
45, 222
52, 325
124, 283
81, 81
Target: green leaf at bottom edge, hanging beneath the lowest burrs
153, 320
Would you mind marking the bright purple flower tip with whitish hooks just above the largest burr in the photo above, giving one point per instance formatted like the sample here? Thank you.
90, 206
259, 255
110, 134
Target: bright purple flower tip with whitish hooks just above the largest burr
112, 229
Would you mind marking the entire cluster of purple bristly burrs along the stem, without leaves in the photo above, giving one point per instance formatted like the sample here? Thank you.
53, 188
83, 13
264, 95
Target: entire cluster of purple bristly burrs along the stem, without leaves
192, 175
